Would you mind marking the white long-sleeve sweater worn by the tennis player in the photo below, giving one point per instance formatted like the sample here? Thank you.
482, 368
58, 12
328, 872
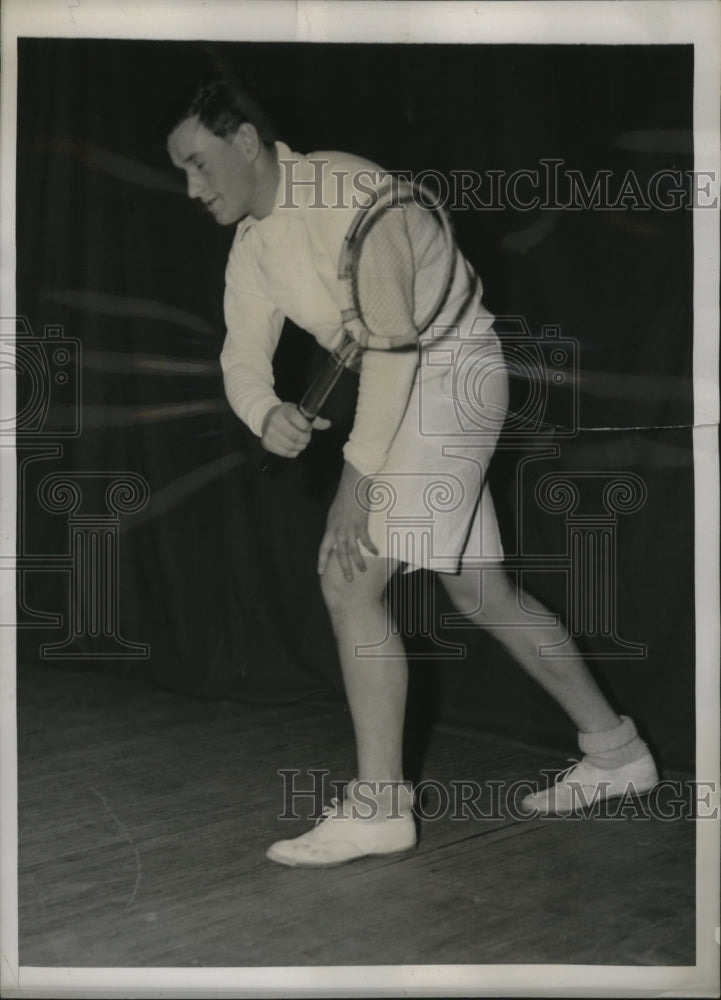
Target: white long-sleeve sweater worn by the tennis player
285, 265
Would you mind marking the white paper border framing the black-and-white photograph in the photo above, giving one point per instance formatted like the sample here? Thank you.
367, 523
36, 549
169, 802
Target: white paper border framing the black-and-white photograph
646, 22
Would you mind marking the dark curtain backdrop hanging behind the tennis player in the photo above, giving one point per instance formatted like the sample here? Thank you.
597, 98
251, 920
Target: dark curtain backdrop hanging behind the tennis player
216, 573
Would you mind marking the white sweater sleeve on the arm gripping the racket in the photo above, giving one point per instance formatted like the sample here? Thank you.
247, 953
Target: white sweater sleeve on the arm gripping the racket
254, 325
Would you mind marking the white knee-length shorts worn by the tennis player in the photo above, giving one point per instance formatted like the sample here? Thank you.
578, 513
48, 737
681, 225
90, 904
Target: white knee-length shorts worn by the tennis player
430, 505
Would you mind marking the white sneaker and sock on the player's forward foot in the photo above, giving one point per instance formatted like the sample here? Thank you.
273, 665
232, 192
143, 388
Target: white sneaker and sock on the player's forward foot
363, 824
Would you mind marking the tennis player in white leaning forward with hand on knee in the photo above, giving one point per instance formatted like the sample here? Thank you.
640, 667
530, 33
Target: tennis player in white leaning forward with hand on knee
389, 514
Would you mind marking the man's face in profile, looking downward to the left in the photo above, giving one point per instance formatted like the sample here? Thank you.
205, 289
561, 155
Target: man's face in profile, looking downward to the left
221, 172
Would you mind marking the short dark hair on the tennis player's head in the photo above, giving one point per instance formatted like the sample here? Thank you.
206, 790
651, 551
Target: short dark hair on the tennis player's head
219, 105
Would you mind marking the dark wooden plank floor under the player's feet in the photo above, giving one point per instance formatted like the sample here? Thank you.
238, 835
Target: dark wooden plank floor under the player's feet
144, 817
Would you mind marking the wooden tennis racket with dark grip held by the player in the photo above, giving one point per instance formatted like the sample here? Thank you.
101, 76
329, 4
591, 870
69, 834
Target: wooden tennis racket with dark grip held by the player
395, 271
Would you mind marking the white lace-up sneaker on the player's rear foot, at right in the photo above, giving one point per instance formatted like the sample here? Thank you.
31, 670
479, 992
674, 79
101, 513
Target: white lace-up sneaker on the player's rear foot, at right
582, 785
